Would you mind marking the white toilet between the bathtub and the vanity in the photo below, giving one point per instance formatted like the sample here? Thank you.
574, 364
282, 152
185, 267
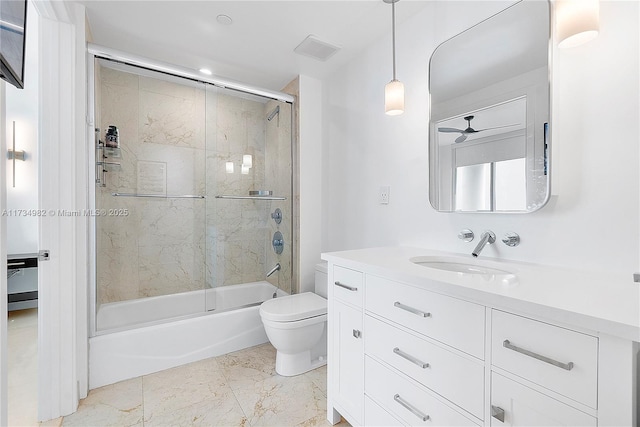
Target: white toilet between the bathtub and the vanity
296, 325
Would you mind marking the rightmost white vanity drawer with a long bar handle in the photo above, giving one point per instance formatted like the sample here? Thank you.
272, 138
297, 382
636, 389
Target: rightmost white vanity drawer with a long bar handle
559, 359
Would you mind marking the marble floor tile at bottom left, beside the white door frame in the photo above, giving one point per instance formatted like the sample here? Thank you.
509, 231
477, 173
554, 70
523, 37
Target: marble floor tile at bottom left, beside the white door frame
117, 404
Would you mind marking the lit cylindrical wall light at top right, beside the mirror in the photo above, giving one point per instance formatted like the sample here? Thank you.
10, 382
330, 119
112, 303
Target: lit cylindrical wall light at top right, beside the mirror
577, 21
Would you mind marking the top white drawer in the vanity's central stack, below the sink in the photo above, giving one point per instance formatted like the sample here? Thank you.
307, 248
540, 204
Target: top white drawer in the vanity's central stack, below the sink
457, 323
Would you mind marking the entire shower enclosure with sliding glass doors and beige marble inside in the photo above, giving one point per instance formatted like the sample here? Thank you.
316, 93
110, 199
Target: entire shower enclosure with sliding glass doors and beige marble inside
193, 195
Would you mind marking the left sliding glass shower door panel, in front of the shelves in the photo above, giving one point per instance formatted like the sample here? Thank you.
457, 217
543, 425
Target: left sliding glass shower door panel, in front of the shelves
150, 232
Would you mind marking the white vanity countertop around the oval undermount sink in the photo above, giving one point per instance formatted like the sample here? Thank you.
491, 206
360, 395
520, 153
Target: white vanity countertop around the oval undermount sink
606, 303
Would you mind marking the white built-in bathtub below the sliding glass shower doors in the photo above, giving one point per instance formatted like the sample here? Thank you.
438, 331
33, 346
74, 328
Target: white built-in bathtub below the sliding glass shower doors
203, 324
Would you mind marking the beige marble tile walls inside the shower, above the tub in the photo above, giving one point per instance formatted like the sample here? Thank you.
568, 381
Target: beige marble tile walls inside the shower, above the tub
166, 246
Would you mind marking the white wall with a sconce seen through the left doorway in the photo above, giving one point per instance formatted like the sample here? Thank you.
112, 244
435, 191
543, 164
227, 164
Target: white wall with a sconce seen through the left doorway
22, 107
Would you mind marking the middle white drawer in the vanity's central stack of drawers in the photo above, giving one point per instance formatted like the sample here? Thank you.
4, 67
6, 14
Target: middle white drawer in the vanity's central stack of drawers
452, 376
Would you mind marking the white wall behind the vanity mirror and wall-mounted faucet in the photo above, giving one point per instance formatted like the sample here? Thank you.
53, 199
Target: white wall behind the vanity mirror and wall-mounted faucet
593, 219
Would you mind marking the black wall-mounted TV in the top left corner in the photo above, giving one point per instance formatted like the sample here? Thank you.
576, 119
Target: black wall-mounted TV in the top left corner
13, 24
